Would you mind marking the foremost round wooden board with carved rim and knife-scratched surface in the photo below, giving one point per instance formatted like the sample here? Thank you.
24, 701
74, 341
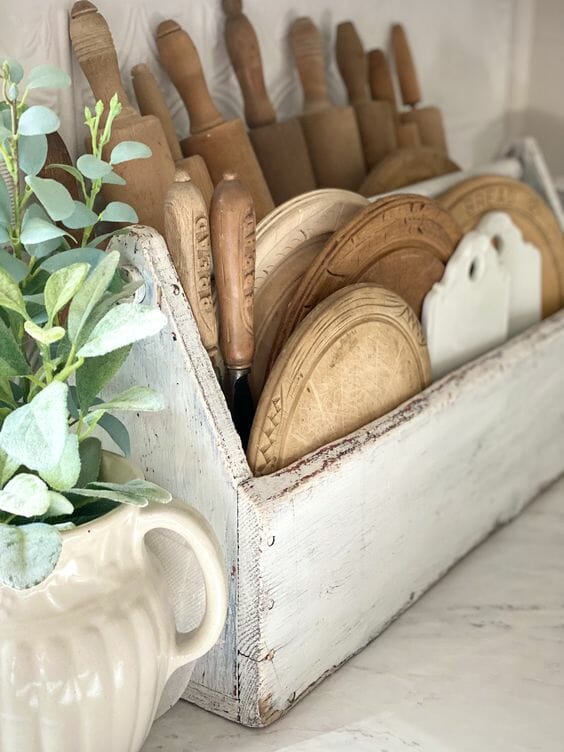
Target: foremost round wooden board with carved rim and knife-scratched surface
358, 355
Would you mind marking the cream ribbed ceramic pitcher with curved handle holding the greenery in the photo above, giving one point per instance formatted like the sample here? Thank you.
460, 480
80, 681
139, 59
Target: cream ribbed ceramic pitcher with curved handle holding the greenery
85, 655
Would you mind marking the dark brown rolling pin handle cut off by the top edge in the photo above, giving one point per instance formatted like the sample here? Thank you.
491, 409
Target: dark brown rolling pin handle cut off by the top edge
244, 53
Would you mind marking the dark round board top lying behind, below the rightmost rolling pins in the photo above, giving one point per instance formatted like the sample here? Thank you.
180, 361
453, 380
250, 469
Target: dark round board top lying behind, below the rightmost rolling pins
404, 167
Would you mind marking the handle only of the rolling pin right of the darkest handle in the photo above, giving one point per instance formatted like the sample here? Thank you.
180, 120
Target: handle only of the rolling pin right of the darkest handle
307, 47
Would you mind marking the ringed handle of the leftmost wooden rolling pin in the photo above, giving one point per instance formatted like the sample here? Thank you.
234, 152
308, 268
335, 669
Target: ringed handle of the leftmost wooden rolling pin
95, 51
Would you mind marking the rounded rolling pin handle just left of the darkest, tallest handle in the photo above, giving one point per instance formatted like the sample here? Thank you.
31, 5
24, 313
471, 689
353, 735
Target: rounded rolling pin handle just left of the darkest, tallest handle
181, 61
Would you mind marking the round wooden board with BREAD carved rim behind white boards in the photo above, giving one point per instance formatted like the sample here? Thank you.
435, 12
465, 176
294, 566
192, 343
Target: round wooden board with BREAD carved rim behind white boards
471, 199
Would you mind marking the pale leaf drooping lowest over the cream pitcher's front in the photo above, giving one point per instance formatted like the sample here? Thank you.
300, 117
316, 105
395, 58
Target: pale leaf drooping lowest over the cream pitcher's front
28, 554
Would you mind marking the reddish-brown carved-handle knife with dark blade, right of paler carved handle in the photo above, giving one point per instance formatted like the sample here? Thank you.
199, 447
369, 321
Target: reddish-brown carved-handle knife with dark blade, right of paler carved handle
233, 224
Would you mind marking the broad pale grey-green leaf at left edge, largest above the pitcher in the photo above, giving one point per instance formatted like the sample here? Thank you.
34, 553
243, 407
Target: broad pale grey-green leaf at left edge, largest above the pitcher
35, 434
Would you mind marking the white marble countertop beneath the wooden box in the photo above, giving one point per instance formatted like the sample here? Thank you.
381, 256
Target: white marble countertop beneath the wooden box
475, 666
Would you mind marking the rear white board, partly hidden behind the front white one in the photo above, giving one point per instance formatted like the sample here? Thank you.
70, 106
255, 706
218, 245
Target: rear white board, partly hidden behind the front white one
522, 261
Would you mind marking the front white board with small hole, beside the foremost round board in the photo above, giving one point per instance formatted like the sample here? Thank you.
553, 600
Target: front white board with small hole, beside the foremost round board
467, 312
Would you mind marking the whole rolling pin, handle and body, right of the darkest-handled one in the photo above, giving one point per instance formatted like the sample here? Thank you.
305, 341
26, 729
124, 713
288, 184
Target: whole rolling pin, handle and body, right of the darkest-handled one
331, 133
